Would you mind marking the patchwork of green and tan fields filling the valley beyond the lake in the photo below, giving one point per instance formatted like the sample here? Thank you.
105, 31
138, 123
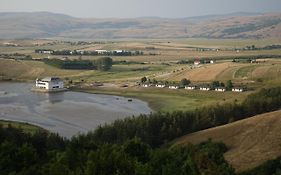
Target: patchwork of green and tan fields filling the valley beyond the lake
160, 57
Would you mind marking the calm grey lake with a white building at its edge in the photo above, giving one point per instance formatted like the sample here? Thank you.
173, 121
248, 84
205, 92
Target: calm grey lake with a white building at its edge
67, 113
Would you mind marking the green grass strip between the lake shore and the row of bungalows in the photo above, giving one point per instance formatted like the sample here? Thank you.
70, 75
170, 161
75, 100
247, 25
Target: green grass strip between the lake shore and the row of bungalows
167, 100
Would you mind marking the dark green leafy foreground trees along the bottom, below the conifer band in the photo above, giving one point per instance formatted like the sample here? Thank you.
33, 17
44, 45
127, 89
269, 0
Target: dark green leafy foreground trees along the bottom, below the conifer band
43, 153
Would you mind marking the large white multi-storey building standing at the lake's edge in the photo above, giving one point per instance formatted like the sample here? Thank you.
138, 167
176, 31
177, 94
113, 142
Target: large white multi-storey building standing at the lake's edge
49, 83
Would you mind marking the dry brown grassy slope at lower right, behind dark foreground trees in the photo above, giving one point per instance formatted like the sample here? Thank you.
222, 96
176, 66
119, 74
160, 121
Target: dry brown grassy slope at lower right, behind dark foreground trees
251, 141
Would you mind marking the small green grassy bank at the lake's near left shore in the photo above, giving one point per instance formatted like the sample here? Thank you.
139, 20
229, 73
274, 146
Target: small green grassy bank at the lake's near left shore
28, 128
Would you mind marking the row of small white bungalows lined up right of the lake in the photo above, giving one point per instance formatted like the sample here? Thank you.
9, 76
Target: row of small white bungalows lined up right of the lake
193, 87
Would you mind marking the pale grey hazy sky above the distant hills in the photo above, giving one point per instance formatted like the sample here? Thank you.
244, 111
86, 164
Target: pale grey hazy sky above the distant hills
140, 8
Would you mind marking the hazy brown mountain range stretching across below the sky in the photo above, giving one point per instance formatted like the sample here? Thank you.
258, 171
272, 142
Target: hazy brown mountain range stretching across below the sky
50, 25
